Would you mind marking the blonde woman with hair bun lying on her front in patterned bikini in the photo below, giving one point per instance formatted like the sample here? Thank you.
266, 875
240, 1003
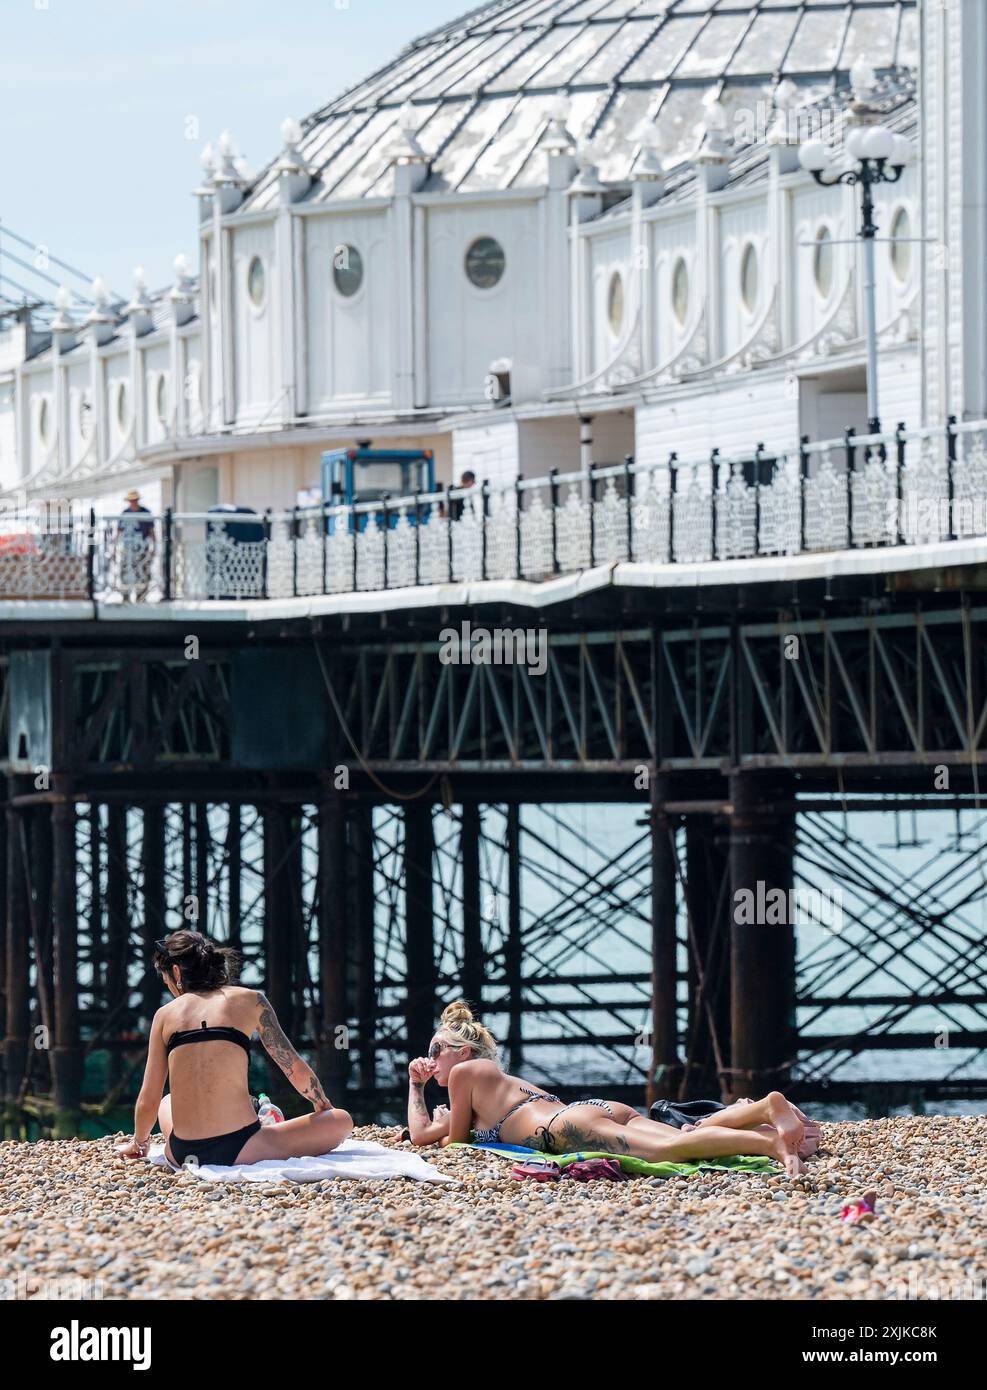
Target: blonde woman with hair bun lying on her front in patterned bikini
507, 1110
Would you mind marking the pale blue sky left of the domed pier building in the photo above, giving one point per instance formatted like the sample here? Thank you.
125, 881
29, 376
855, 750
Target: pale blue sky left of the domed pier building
106, 105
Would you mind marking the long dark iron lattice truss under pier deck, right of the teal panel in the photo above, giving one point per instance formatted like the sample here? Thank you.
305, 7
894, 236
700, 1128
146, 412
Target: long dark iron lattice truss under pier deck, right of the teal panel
904, 689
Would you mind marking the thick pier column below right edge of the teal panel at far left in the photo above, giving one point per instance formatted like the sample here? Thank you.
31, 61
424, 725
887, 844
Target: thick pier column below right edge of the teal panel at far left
67, 1052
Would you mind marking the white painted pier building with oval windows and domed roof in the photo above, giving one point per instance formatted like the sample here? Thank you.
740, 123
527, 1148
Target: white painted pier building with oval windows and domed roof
680, 309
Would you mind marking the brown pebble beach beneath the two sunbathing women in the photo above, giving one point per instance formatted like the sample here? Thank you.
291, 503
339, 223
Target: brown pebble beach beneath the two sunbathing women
73, 1214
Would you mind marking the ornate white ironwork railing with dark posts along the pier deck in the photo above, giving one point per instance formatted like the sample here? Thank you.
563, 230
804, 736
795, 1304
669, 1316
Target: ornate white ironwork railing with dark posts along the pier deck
900, 489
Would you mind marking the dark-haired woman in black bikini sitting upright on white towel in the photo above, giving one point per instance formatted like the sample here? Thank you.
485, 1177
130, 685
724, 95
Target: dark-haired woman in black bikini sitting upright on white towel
209, 1117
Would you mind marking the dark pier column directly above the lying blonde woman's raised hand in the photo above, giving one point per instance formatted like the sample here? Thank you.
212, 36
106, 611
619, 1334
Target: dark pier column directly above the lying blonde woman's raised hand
419, 946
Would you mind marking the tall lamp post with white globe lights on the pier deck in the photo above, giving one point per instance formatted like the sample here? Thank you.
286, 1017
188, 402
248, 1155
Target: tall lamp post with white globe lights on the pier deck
871, 155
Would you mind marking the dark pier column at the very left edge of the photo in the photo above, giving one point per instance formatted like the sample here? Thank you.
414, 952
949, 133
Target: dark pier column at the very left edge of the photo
19, 960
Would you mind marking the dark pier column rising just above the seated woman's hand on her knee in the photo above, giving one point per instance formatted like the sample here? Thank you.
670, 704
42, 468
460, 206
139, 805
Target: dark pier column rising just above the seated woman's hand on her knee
333, 942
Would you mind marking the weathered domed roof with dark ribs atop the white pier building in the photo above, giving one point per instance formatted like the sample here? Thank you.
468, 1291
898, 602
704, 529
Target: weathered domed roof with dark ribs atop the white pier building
480, 94
